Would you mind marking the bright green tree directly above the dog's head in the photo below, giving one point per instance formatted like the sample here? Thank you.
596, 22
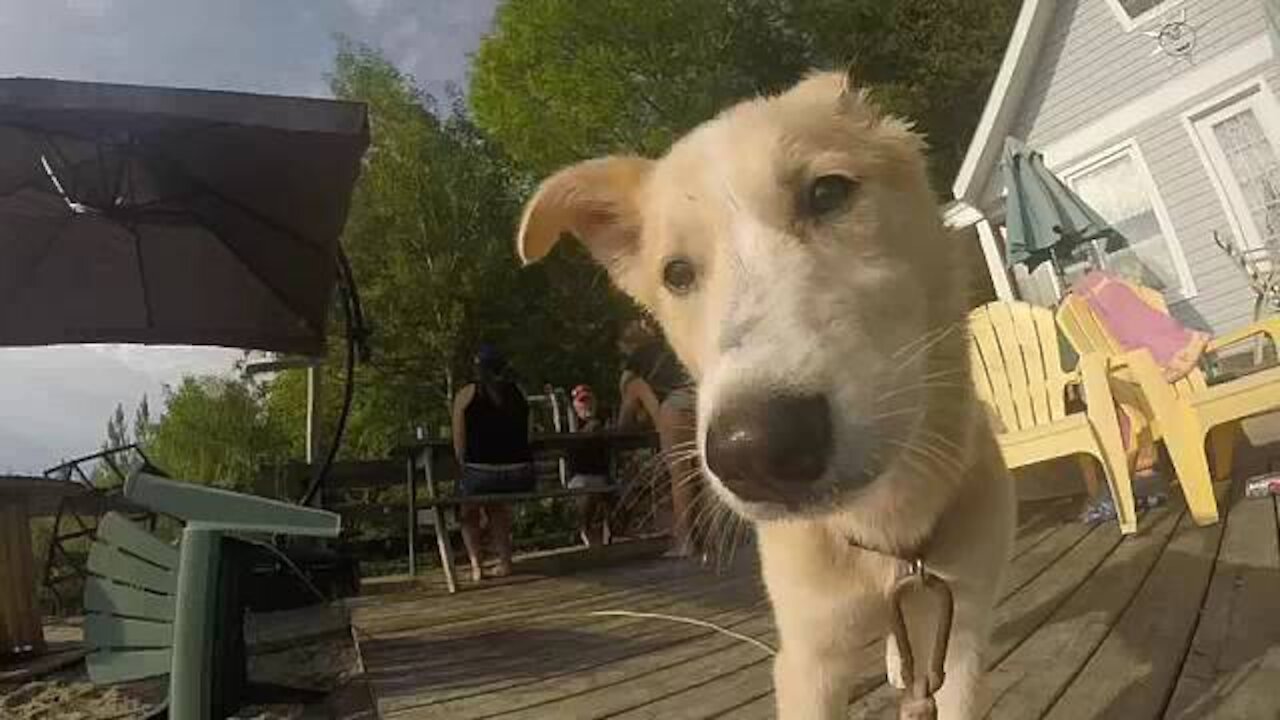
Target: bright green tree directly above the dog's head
563, 80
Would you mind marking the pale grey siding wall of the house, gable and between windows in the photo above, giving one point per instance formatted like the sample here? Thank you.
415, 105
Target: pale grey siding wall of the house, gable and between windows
1091, 67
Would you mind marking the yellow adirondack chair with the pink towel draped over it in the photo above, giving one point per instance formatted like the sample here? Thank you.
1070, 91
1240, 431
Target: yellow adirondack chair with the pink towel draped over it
1186, 413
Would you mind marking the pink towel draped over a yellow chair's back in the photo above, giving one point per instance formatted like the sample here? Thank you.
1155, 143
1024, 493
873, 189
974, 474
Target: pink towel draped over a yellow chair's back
1136, 325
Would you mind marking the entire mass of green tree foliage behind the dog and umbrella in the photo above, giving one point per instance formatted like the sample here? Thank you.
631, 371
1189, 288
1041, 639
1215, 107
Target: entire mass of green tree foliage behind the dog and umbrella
435, 213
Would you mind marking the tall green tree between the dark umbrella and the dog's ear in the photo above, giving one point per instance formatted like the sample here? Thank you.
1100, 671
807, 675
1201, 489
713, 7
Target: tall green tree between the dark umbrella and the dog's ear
431, 239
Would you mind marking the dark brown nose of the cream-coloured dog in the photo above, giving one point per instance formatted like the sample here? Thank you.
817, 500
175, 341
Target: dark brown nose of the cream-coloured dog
761, 449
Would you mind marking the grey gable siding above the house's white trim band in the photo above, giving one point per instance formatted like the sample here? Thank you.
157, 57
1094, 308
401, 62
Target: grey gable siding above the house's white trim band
1090, 66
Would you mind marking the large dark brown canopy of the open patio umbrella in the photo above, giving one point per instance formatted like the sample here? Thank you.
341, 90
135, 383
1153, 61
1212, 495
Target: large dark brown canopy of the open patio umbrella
177, 217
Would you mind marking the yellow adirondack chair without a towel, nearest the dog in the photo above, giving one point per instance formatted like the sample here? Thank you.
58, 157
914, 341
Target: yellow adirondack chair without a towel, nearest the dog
1018, 371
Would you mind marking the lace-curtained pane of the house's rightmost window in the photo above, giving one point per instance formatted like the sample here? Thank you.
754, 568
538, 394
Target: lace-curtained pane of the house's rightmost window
1256, 168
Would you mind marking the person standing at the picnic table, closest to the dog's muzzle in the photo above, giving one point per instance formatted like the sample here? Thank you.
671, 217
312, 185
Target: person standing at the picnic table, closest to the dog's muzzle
656, 389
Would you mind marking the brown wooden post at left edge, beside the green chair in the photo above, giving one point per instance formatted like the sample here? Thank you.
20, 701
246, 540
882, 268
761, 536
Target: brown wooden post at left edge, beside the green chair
21, 630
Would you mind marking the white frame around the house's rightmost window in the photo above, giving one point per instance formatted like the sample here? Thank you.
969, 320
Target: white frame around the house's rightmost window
1259, 95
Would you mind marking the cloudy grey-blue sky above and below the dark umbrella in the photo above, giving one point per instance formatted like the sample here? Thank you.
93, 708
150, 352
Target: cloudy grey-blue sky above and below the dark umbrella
54, 403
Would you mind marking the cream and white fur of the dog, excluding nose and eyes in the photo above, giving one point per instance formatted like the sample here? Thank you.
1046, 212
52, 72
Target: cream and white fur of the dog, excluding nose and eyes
865, 307
